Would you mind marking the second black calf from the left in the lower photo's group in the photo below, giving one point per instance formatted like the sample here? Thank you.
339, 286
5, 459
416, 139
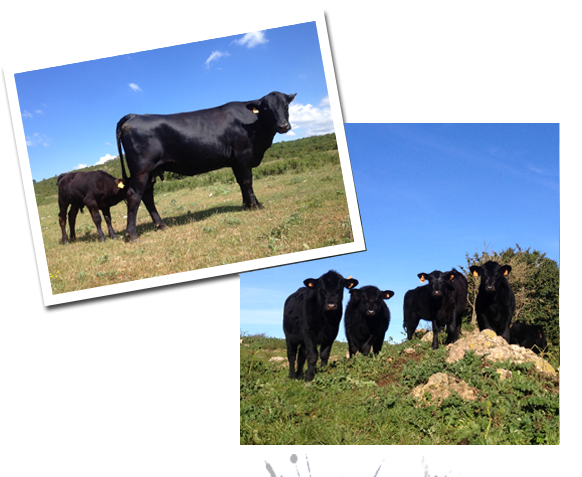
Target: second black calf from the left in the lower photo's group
367, 319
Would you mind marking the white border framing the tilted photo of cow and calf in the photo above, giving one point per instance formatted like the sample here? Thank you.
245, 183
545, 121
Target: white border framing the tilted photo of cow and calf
313, 16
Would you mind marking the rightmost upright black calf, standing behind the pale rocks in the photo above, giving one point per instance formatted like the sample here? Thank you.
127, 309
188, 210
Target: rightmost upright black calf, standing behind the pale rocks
495, 302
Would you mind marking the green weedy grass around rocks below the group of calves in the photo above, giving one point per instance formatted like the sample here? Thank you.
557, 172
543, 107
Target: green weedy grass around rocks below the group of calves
367, 400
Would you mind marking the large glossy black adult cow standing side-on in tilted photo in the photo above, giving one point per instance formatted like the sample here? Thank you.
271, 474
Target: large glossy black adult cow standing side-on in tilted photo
234, 135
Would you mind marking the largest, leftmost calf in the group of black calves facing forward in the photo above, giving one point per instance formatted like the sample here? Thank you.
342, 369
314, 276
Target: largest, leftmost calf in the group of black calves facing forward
311, 317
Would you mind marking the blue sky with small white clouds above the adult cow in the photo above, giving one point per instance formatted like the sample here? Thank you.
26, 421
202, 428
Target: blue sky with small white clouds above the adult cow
70, 112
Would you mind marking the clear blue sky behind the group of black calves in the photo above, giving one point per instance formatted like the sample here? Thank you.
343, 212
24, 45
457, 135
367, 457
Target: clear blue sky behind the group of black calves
428, 194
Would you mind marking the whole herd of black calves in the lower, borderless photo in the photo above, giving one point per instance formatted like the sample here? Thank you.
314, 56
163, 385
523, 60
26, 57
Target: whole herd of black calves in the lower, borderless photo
312, 315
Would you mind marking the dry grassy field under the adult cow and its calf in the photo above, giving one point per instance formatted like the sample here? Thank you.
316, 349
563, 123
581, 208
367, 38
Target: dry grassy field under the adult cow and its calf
305, 207
